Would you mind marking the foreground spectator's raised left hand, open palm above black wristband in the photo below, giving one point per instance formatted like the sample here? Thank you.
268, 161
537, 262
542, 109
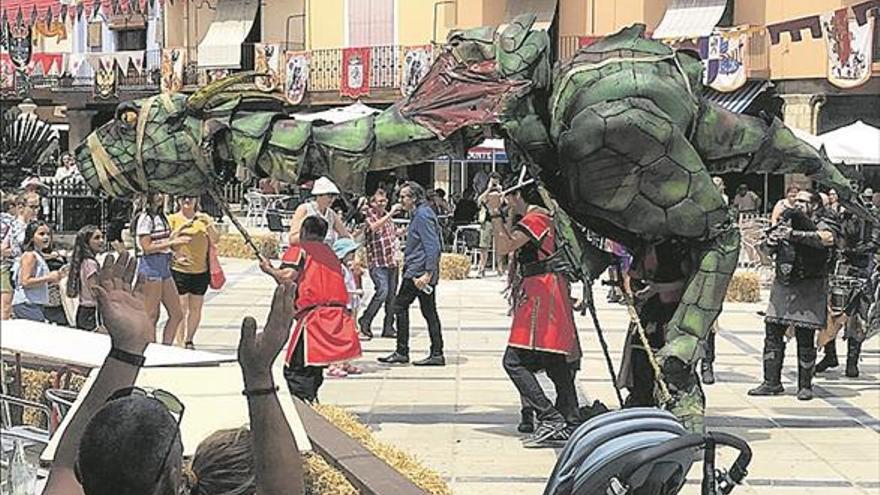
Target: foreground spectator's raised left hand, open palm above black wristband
121, 306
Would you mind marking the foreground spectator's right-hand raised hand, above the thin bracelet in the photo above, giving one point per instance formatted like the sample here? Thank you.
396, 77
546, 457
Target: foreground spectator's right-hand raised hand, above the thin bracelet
257, 352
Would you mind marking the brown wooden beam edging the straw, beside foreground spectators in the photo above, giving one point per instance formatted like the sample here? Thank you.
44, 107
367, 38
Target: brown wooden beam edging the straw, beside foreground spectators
369, 474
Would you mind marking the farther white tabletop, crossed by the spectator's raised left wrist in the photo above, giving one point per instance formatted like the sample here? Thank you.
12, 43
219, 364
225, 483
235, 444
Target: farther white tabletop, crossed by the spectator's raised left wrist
74, 347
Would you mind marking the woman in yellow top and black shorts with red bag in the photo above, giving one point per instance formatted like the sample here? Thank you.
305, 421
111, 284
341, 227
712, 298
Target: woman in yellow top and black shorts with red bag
190, 264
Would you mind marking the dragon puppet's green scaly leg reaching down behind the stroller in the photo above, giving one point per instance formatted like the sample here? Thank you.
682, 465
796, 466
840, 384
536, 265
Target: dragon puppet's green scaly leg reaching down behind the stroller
691, 323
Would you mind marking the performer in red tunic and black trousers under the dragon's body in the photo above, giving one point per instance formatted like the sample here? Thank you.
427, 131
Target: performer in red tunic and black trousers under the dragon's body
543, 335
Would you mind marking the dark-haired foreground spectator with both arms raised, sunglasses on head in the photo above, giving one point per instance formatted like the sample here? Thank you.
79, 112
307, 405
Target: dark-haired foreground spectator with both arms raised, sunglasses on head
126, 440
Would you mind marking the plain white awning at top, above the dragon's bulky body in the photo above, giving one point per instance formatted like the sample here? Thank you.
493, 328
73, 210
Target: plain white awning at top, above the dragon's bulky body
690, 18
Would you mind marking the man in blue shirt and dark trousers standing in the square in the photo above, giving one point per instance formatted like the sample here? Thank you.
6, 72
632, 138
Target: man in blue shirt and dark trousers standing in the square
421, 270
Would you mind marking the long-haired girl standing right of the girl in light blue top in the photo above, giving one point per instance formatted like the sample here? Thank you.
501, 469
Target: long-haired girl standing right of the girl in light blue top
83, 268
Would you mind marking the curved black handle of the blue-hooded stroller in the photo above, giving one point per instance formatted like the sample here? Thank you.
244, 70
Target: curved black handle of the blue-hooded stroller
737, 471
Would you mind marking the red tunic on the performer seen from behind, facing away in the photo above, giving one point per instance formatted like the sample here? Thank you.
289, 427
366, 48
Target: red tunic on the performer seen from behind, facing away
330, 334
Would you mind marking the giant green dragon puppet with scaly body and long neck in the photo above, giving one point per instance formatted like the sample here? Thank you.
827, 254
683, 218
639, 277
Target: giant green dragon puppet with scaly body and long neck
618, 135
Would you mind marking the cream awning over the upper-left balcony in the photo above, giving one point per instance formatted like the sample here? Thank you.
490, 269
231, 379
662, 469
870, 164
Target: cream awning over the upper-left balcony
221, 46
